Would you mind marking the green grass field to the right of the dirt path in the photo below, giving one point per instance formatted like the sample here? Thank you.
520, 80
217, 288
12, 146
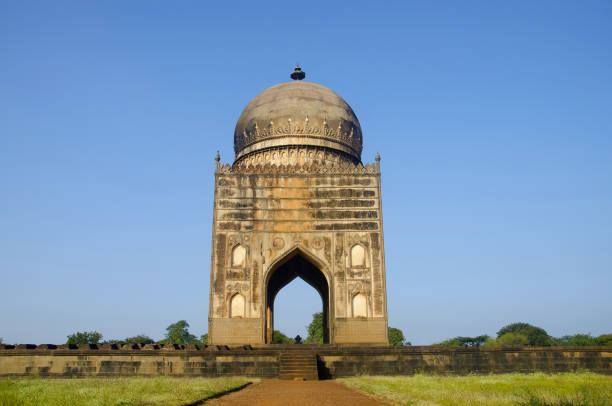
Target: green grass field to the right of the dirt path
570, 389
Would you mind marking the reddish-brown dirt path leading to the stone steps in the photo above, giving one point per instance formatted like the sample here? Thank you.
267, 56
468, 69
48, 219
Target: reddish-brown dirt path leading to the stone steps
274, 392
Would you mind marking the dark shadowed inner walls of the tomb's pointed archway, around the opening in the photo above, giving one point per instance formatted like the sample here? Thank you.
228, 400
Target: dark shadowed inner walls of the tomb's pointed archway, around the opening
293, 265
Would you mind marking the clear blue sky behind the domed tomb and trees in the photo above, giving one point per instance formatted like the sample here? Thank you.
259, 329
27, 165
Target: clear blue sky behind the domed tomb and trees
493, 120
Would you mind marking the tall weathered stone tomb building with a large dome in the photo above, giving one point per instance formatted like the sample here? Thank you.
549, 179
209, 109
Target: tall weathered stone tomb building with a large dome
297, 202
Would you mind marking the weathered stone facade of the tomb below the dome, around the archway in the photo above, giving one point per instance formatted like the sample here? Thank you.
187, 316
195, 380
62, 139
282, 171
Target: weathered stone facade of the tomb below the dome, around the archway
331, 216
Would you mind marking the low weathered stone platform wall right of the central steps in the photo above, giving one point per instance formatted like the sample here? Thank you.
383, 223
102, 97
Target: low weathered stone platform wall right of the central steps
436, 360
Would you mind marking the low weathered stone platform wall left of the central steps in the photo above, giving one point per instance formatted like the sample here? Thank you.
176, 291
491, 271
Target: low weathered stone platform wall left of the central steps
136, 360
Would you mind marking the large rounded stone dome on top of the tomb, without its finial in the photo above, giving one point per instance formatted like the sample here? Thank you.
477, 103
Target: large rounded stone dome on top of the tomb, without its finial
298, 114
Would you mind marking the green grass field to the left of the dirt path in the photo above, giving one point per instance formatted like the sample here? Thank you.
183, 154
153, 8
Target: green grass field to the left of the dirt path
113, 391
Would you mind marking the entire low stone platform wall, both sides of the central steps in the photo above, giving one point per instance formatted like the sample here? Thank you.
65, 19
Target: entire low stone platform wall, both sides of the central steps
333, 361
